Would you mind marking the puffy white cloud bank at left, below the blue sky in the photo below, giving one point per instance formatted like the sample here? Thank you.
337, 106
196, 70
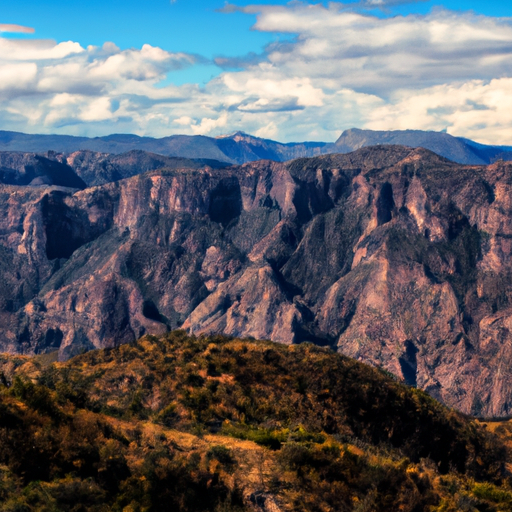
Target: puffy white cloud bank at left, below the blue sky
45, 86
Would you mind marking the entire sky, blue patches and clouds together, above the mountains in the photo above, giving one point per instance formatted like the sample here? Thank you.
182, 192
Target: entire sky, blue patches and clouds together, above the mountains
288, 71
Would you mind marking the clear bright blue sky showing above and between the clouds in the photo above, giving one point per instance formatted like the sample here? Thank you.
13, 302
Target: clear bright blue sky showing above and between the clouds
193, 26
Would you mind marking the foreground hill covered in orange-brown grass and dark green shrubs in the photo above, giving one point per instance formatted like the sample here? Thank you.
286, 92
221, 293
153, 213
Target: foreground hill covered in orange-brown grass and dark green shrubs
220, 424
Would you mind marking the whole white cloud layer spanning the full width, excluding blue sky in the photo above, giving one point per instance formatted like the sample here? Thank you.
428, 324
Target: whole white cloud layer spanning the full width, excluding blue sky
338, 68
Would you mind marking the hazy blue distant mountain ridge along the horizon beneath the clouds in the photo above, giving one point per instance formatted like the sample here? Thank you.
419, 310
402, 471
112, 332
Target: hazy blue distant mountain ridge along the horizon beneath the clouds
240, 148
